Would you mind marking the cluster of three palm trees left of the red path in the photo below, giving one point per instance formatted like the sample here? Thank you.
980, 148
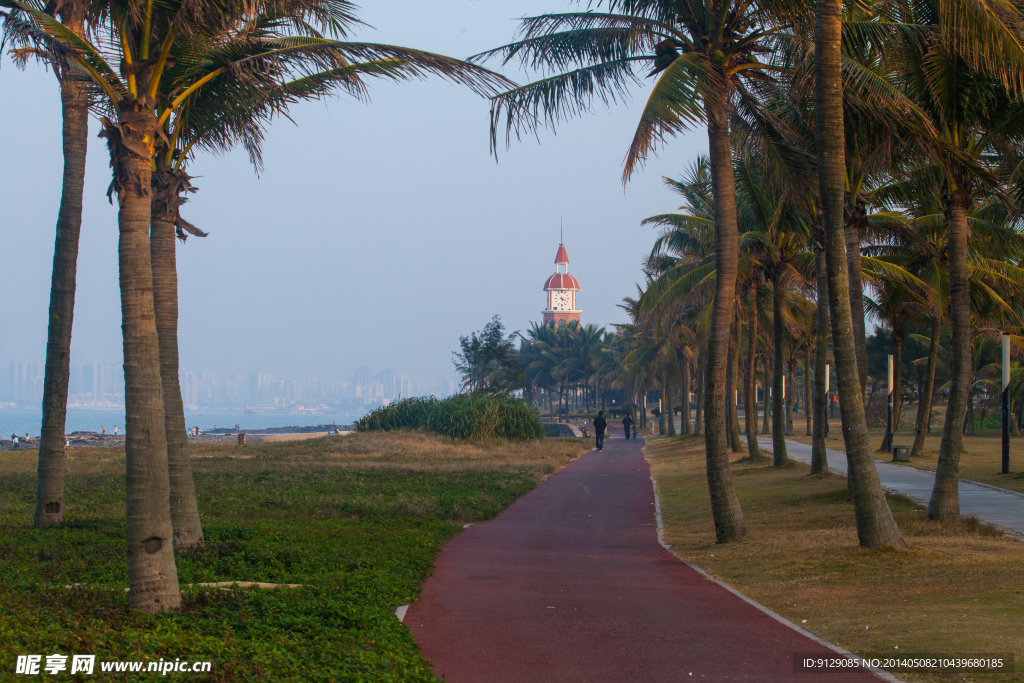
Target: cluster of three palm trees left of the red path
167, 81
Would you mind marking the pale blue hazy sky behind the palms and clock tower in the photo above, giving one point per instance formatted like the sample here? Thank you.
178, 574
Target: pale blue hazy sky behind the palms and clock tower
378, 233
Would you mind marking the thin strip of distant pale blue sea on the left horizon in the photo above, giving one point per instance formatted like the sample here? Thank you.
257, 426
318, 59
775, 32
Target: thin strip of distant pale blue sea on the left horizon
23, 421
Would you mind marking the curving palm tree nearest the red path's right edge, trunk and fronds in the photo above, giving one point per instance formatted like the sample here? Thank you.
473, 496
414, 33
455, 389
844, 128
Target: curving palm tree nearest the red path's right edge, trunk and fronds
704, 54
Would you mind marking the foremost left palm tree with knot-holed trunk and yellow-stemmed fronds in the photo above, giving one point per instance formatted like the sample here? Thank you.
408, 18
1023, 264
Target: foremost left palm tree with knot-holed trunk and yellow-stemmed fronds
149, 45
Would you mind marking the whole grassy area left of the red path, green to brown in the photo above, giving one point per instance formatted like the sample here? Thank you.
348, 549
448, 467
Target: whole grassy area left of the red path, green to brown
357, 521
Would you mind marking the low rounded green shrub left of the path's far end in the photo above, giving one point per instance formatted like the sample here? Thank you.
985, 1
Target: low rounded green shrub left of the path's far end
467, 417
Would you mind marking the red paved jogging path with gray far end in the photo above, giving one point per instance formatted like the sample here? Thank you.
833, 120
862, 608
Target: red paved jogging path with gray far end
571, 584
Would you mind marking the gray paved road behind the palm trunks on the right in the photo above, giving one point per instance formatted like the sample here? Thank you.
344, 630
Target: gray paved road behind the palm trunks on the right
997, 506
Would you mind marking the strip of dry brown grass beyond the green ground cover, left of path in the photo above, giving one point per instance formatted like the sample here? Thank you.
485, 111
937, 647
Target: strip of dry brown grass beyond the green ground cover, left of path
417, 451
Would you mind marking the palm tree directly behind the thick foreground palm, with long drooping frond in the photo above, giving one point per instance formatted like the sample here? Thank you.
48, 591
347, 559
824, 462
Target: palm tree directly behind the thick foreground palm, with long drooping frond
230, 110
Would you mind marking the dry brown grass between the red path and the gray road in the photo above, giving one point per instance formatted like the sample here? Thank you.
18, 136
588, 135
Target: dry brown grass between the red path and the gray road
959, 590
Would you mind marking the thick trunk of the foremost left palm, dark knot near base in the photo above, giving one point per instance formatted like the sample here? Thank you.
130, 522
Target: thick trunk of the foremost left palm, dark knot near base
153, 581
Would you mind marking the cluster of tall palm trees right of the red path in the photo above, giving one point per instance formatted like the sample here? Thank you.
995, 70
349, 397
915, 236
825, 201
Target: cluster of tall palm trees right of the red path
884, 127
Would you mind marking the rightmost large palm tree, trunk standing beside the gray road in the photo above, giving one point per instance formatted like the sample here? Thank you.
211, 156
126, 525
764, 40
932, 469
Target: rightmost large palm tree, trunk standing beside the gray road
966, 73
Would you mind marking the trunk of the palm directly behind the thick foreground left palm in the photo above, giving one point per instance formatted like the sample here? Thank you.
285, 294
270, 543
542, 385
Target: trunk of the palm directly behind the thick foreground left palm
185, 507
